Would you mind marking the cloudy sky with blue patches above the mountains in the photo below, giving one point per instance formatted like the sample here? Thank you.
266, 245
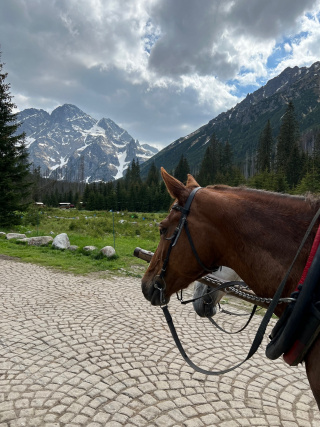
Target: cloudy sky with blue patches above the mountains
158, 68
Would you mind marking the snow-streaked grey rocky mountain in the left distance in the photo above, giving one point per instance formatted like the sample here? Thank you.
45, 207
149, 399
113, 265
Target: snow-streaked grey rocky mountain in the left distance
70, 144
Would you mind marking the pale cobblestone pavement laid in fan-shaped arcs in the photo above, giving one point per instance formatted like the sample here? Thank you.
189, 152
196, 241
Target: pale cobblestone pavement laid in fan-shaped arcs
79, 351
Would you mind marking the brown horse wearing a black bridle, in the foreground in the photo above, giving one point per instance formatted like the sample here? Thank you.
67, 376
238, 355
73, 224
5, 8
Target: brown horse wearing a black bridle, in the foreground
256, 233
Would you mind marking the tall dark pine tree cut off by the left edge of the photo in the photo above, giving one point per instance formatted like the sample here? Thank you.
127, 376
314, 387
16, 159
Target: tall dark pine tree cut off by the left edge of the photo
14, 168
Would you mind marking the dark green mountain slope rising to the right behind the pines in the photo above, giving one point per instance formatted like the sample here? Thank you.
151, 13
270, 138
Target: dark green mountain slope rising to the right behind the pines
242, 124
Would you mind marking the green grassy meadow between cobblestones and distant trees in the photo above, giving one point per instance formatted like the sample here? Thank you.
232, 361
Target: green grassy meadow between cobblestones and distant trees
87, 228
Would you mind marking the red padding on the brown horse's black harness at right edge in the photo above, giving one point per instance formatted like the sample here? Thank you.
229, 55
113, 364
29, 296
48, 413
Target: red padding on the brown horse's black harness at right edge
299, 349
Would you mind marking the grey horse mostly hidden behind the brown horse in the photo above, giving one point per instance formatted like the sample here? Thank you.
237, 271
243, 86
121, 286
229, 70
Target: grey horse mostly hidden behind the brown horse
206, 305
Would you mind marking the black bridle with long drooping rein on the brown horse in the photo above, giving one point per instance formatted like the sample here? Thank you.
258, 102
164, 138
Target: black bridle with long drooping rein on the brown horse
265, 321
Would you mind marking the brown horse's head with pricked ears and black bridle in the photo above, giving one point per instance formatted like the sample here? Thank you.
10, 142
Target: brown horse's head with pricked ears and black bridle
176, 261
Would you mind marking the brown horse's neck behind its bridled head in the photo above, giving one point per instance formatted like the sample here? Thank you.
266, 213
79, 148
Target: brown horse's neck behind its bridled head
261, 239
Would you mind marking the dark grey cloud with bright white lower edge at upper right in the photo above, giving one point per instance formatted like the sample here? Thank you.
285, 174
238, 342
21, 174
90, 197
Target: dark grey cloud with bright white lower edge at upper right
218, 38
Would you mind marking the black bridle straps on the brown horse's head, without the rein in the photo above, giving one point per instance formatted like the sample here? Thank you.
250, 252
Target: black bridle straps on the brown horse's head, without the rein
159, 282
